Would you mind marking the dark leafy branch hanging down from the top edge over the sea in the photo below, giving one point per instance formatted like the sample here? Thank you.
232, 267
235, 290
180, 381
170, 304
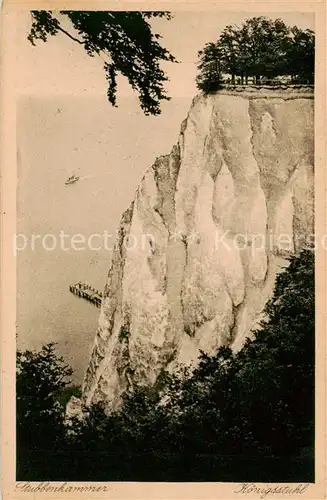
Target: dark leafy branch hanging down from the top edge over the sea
125, 42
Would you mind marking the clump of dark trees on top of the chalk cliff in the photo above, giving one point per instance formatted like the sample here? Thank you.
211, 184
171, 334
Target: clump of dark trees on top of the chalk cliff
259, 48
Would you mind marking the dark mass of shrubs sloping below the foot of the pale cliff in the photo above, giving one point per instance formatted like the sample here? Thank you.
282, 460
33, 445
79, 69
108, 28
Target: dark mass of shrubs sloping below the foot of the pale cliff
237, 417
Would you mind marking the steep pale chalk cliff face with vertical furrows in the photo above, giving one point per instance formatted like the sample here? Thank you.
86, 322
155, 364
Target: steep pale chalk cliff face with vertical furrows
200, 245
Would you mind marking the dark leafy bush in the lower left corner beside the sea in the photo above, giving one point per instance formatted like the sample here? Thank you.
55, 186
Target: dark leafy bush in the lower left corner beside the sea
41, 376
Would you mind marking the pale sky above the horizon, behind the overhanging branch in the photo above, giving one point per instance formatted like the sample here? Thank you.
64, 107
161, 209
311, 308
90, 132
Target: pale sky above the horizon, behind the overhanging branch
61, 66
